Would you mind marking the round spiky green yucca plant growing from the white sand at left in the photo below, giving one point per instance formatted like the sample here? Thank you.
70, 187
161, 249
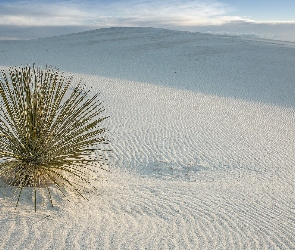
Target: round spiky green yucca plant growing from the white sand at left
49, 131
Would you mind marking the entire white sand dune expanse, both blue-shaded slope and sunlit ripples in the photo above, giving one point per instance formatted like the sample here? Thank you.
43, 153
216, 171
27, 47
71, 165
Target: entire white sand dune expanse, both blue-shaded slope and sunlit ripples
202, 132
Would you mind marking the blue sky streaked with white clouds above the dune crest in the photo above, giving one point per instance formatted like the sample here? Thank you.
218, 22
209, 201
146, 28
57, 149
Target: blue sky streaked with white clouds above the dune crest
271, 19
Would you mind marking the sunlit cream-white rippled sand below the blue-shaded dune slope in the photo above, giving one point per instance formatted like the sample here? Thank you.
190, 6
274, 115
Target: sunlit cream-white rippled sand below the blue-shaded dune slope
189, 171
